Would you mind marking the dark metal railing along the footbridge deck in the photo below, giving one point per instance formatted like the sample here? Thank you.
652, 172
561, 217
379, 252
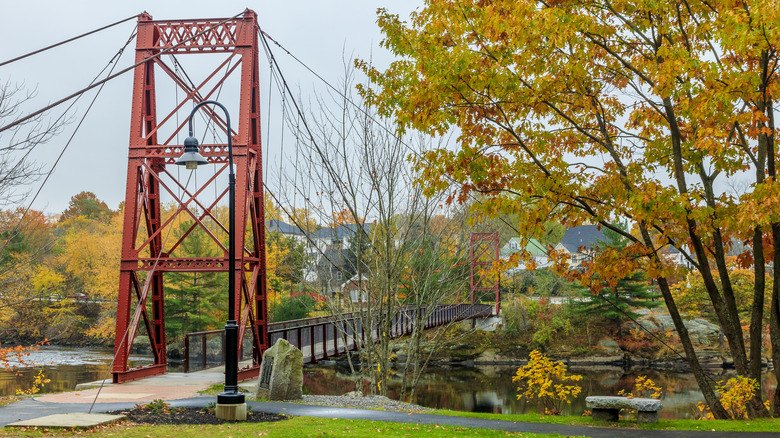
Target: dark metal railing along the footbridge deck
321, 338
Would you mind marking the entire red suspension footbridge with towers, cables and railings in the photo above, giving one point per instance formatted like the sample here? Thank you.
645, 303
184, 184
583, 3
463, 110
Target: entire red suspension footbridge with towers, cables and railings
152, 249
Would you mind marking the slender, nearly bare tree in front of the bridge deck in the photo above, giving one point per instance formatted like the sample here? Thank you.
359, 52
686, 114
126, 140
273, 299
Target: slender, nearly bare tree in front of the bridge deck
364, 186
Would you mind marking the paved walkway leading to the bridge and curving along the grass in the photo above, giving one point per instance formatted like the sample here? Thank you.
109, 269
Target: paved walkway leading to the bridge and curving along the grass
180, 390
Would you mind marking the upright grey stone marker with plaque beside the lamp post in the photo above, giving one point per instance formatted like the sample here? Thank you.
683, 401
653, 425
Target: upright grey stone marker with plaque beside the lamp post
281, 373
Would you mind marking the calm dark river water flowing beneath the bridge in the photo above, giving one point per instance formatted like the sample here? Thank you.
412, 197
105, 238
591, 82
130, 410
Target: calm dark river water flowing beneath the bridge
476, 389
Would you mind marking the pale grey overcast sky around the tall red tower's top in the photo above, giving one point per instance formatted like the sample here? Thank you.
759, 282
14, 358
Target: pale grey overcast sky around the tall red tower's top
317, 32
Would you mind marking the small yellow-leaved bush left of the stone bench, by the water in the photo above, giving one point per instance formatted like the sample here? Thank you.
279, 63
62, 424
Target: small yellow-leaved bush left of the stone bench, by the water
546, 383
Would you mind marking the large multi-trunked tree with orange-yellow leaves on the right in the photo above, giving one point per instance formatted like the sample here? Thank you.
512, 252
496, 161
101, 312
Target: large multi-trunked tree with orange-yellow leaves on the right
597, 112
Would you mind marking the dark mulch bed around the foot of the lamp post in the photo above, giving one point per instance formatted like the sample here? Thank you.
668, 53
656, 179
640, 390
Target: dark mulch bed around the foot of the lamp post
189, 416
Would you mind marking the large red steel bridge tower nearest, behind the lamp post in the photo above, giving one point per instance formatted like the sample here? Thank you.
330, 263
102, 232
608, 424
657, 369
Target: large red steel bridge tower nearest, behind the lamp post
149, 248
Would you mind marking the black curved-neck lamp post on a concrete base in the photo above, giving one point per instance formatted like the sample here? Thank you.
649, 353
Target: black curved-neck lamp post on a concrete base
191, 158
